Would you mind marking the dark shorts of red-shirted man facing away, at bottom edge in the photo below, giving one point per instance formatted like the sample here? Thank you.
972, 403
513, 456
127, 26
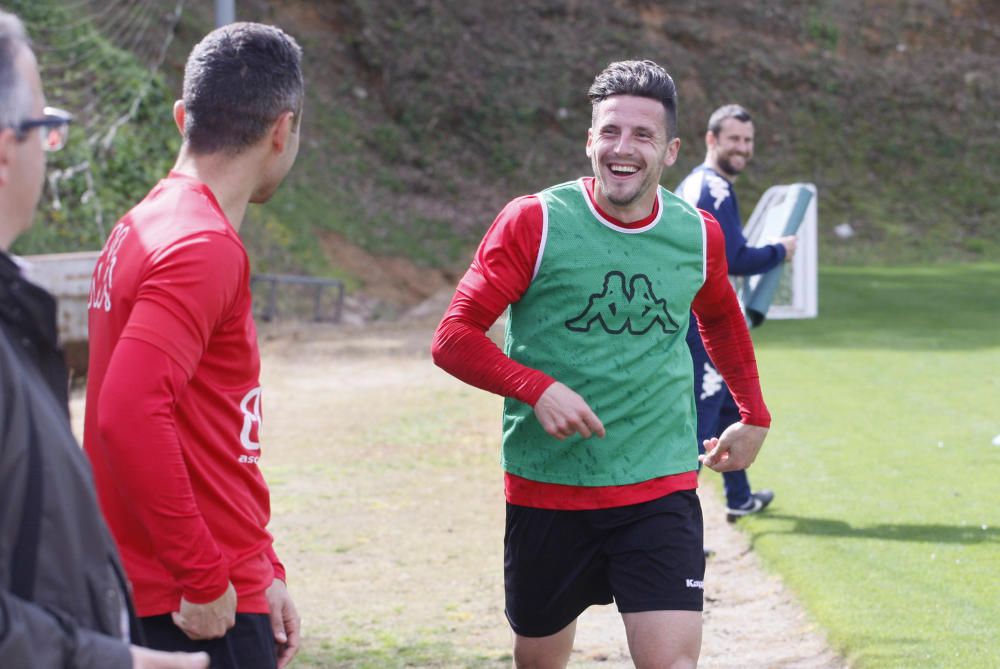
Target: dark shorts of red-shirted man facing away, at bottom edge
248, 645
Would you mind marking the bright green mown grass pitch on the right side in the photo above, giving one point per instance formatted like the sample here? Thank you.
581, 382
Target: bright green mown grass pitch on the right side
887, 520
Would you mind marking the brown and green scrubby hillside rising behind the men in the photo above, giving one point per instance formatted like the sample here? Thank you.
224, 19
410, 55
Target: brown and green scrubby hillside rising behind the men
424, 118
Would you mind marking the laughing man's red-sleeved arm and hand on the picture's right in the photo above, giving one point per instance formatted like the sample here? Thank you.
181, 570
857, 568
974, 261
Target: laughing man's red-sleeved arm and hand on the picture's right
727, 341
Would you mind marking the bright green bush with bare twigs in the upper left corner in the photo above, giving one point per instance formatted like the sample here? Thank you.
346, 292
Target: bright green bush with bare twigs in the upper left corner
123, 139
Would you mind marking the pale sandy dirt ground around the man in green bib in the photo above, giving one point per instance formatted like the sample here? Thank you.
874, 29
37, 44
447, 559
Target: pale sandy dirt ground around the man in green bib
388, 512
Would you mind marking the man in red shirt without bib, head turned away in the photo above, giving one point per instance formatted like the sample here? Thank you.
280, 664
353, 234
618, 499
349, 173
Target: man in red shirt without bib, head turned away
173, 394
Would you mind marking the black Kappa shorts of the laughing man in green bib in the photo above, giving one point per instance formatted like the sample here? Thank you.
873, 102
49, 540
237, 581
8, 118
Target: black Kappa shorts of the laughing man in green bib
644, 557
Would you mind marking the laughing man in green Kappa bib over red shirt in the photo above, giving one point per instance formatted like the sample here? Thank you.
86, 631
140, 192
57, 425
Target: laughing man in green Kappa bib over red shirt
599, 276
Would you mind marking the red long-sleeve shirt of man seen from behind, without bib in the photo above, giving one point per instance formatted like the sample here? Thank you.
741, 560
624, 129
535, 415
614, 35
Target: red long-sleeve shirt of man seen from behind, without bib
173, 404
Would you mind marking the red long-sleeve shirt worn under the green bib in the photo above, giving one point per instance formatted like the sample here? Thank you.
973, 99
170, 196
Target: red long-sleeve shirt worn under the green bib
501, 272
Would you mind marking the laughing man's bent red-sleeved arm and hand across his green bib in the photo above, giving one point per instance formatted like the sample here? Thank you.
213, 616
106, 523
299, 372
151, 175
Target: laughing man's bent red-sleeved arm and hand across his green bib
499, 275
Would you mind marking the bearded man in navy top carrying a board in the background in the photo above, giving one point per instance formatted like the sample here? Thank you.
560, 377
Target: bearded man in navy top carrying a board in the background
729, 147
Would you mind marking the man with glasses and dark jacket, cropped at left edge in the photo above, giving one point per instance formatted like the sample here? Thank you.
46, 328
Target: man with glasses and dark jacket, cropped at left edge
63, 596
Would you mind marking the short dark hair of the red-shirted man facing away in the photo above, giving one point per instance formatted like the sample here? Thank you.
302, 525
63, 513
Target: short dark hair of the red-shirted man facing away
237, 81
